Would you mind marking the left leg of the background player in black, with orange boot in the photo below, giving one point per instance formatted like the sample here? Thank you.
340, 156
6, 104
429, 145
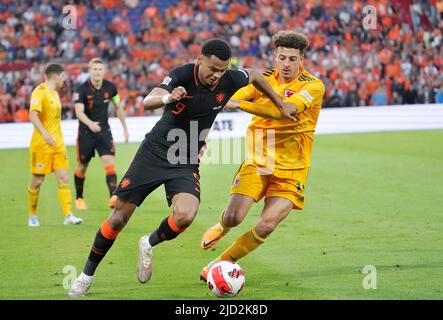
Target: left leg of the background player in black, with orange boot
85, 148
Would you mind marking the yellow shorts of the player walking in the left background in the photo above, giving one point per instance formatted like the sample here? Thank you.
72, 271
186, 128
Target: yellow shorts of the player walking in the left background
45, 163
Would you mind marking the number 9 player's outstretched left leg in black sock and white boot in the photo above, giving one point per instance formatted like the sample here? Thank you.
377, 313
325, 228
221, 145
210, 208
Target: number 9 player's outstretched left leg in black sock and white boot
104, 239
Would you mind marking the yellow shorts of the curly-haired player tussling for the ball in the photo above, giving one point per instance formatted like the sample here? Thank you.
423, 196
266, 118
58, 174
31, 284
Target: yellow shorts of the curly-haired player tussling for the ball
282, 183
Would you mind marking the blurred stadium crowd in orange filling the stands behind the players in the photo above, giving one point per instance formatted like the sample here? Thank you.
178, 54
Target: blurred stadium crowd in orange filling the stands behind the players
398, 62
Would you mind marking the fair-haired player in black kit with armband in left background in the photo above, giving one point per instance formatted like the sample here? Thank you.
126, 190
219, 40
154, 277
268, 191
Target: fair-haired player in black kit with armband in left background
91, 100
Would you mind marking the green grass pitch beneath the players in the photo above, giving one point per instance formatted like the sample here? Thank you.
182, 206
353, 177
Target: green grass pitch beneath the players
373, 199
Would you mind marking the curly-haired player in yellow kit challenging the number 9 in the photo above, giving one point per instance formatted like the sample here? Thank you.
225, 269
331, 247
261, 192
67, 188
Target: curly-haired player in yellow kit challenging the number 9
279, 172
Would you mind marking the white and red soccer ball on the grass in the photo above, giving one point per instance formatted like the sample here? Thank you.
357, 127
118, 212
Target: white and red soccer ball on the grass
226, 279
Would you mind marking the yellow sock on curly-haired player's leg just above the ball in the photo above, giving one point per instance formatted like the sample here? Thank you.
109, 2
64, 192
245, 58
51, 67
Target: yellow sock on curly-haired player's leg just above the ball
245, 244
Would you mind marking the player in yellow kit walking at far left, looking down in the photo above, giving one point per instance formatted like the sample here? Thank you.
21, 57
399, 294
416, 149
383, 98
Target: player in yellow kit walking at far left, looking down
47, 149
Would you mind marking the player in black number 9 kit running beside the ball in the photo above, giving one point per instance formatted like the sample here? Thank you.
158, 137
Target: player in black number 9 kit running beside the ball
194, 94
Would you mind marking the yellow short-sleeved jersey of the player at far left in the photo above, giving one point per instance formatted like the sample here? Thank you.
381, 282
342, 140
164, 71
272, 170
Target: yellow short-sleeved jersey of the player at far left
47, 103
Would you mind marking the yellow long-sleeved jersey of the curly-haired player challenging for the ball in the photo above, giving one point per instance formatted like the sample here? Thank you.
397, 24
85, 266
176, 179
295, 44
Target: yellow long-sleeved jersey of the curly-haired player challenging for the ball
287, 143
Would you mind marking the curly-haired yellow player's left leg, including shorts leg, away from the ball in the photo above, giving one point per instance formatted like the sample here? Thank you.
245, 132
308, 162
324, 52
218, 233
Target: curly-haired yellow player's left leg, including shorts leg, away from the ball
248, 186
